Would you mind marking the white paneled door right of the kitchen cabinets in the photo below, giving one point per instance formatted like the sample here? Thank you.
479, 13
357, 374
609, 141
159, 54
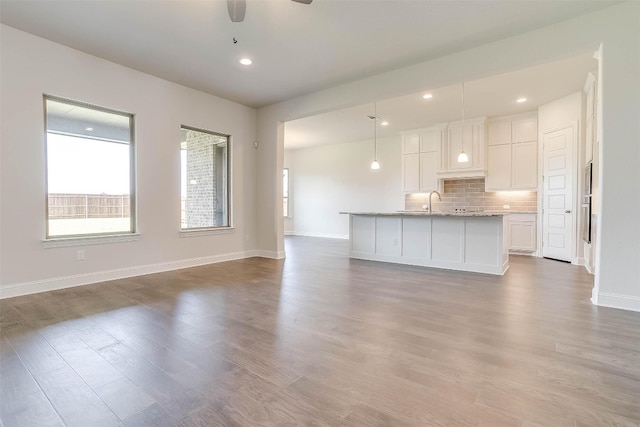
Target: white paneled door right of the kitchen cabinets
558, 233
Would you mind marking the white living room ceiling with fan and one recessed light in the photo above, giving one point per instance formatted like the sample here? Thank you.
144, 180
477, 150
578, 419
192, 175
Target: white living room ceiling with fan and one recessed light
296, 49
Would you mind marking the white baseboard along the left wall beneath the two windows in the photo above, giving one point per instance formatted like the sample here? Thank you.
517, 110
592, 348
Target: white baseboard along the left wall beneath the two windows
26, 288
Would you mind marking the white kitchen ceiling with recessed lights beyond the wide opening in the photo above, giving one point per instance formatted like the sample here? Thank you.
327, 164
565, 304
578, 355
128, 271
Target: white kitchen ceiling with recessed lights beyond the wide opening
492, 96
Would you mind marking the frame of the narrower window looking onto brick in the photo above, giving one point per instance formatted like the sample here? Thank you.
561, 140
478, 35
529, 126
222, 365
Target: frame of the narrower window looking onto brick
216, 229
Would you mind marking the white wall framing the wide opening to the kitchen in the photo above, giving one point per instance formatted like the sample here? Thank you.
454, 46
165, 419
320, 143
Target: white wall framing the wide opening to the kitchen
617, 28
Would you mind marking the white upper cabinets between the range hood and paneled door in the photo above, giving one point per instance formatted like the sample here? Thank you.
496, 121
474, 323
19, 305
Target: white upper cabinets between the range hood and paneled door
512, 153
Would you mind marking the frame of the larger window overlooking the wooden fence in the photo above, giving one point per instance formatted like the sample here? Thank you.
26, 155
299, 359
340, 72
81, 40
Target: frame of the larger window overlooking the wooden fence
89, 238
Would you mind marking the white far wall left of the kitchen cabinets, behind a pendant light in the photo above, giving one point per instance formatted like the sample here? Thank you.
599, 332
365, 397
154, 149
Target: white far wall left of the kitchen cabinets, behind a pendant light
337, 178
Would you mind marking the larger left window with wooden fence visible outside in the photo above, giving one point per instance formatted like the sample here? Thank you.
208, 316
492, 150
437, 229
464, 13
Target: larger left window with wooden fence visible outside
90, 170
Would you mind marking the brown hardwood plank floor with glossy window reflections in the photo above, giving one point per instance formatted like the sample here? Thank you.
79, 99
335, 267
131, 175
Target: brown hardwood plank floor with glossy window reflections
319, 339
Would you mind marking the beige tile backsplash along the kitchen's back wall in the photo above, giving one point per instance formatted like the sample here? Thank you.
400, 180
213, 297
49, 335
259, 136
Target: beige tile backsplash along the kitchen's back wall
470, 195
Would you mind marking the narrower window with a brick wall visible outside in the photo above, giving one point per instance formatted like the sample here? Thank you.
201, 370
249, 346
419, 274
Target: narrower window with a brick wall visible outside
204, 160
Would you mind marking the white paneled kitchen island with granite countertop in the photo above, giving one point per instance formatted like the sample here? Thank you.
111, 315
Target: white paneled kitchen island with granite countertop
471, 241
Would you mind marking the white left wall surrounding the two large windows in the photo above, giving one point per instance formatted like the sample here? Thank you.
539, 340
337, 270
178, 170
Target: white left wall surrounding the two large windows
32, 66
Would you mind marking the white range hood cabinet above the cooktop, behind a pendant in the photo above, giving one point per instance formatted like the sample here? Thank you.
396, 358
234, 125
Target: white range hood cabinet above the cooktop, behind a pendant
471, 140
